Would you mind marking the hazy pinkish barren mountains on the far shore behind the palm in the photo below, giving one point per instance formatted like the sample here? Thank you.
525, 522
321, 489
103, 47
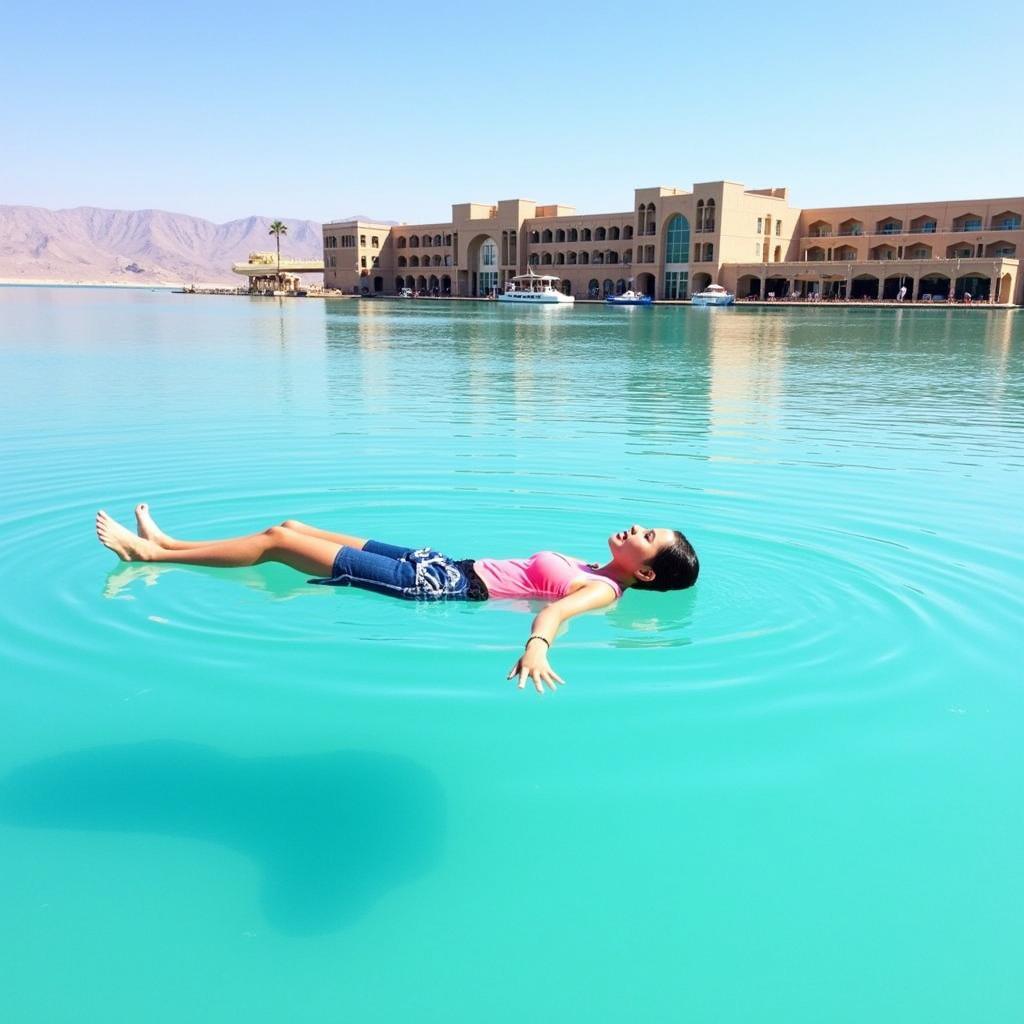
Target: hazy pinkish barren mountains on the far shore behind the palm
152, 247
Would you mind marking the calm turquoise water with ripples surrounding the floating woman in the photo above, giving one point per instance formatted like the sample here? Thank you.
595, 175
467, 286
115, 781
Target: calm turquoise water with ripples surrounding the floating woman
791, 795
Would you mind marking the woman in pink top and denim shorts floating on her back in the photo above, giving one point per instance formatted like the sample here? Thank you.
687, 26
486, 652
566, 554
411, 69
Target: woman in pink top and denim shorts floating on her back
643, 559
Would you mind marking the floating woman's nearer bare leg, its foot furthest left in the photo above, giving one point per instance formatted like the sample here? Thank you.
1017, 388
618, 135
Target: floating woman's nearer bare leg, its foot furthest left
312, 556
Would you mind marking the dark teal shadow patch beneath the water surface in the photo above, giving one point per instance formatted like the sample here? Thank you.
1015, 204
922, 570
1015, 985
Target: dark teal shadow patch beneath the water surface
333, 833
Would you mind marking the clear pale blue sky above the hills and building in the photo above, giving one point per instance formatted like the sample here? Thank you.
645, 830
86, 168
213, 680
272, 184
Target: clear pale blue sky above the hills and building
398, 110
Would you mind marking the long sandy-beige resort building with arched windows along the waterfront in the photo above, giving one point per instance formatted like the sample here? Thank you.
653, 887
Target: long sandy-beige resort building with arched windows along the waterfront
674, 243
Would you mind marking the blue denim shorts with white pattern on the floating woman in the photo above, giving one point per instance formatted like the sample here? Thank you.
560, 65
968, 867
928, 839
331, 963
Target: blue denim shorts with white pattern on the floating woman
415, 574
